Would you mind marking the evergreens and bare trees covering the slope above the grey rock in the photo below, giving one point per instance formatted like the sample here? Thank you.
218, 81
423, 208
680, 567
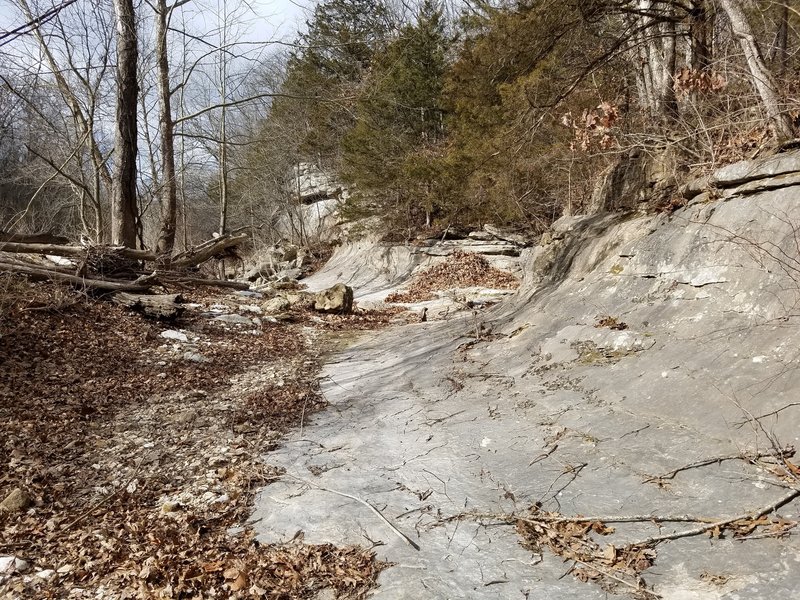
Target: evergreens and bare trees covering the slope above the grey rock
507, 112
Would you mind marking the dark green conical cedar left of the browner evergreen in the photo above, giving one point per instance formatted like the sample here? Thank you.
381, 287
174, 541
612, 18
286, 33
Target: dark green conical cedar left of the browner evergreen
390, 153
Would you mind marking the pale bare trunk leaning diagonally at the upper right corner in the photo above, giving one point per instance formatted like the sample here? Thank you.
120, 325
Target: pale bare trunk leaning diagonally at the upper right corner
760, 75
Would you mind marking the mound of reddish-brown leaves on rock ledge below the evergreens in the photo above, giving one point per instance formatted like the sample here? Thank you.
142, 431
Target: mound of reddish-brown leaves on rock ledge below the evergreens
461, 269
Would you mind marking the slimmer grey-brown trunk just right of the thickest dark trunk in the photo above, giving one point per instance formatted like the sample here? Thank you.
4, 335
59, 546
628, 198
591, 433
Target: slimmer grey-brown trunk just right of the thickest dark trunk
169, 195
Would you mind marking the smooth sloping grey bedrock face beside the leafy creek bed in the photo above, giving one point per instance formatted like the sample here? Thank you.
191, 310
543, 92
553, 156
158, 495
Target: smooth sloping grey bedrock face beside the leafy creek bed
648, 365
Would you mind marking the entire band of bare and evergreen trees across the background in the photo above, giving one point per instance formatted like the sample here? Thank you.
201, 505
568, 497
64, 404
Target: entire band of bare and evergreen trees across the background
432, 114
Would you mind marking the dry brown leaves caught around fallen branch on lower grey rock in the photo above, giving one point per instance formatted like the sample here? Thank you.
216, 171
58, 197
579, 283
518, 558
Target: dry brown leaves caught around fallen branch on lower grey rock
573, 541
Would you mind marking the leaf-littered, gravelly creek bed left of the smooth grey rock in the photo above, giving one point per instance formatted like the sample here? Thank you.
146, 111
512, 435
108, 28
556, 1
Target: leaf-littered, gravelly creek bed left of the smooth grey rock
132, 457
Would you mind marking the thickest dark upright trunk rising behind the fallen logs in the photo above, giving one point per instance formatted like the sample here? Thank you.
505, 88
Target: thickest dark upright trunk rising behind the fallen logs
123, 196
